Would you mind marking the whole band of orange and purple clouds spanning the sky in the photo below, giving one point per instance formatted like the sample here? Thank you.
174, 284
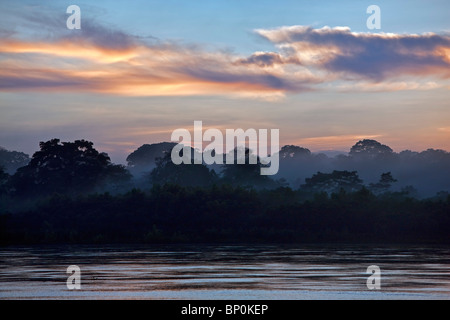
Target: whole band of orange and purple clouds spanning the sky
105, 60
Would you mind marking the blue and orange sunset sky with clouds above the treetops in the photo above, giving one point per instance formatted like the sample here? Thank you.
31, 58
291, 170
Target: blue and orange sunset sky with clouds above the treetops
138, 70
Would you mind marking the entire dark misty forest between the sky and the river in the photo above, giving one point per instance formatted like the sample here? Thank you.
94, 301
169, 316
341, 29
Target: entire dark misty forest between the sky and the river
68, 192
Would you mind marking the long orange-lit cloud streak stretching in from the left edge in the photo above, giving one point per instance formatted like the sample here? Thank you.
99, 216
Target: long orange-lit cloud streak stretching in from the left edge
95, 61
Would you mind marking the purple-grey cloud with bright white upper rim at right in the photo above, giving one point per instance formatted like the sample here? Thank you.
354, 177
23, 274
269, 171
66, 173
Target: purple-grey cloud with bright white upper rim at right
371, 56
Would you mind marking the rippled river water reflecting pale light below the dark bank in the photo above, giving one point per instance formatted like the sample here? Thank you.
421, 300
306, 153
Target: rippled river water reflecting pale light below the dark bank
226, 272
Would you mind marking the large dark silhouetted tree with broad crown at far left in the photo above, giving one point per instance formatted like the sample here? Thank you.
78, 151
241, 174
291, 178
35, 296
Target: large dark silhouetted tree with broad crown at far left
66, 167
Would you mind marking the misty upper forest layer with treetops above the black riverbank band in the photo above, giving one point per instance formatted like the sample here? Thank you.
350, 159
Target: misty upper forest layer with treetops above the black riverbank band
78, 168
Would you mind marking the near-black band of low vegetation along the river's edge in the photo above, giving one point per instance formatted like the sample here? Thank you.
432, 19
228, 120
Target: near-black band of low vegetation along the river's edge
173, 214
